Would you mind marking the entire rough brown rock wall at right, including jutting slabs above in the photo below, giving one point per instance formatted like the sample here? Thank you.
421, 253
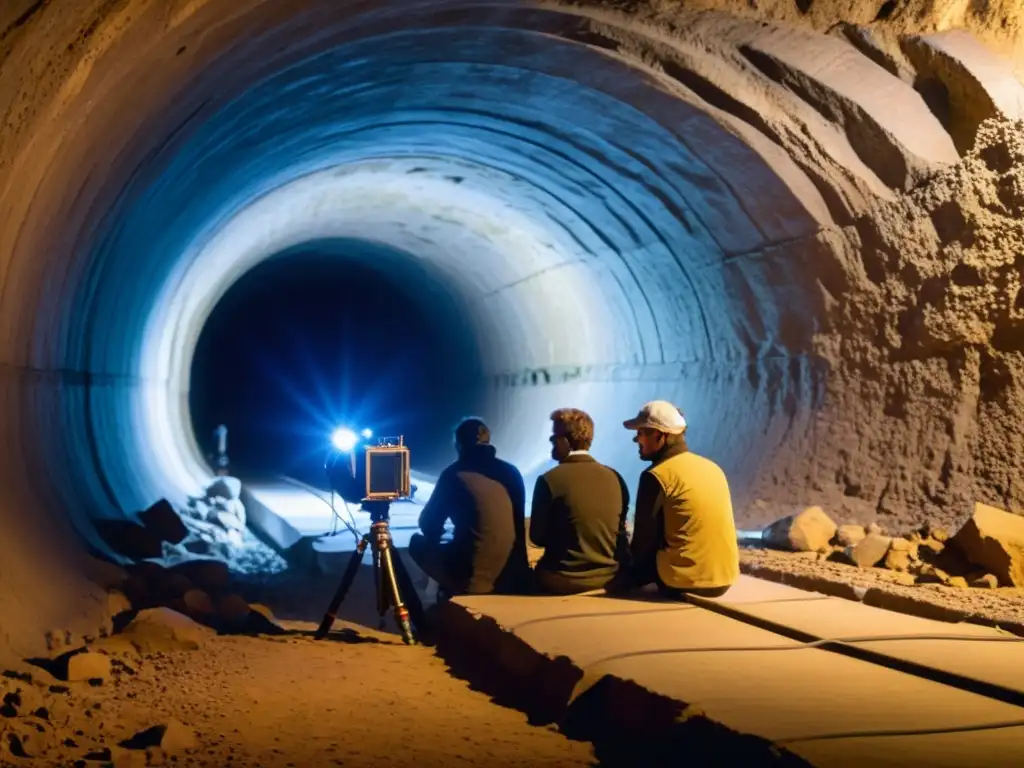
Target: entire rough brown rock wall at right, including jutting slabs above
920, 267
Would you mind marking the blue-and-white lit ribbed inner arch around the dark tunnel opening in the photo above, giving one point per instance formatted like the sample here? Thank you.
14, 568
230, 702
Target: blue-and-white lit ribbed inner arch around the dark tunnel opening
588, 258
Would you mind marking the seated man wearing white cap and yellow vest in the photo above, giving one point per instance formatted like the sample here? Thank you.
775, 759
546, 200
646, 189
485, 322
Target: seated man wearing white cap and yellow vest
685, 535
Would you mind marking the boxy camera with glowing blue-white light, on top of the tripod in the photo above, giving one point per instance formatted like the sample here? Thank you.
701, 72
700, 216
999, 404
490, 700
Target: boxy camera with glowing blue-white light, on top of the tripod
383, 475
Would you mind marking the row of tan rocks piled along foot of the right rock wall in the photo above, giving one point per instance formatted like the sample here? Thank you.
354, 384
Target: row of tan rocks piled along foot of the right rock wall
988, 552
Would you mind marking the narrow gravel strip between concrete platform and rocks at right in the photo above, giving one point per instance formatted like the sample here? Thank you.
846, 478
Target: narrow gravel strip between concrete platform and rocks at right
1002, 607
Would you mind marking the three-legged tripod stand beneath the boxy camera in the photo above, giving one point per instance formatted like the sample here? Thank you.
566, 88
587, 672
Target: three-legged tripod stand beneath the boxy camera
391, 578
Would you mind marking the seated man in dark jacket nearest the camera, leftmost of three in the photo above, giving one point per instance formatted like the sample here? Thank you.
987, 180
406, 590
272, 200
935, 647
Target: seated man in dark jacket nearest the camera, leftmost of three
485, 497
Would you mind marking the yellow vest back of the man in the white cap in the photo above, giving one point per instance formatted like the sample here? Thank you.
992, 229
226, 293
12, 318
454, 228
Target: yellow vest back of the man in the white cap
701, 550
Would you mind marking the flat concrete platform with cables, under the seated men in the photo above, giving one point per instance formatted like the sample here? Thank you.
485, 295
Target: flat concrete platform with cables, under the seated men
745, 679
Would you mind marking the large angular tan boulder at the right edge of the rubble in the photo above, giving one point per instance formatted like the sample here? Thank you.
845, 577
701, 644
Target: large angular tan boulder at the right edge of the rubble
994, 539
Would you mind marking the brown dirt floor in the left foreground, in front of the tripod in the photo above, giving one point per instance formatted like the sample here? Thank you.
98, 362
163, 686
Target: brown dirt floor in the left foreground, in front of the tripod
364, 699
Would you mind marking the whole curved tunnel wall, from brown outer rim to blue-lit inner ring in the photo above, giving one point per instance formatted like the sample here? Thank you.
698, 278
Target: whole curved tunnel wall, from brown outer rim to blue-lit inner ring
631, 215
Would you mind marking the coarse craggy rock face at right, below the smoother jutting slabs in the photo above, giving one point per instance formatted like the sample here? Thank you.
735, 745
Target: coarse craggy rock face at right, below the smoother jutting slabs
925, 396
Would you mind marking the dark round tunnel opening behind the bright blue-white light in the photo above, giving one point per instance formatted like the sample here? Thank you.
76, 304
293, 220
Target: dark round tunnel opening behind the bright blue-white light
327, 334
